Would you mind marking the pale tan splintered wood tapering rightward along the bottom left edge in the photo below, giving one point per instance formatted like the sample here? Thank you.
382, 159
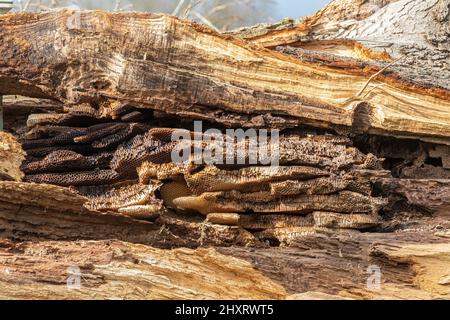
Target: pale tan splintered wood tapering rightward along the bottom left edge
114, 269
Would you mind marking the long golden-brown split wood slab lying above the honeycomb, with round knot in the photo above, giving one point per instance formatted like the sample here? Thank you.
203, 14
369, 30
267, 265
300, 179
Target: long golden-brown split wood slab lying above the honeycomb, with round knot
145, 59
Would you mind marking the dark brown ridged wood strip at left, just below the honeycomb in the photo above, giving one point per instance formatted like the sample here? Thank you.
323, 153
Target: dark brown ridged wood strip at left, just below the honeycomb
31, 211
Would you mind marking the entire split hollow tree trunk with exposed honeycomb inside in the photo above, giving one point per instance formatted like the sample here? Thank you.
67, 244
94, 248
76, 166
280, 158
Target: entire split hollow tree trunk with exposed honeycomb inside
98, 194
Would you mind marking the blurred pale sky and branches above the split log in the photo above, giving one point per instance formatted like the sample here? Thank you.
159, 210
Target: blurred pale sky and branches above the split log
219, 14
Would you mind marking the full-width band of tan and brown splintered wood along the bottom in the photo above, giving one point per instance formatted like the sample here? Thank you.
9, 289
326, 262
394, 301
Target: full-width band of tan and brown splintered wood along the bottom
335, 267
